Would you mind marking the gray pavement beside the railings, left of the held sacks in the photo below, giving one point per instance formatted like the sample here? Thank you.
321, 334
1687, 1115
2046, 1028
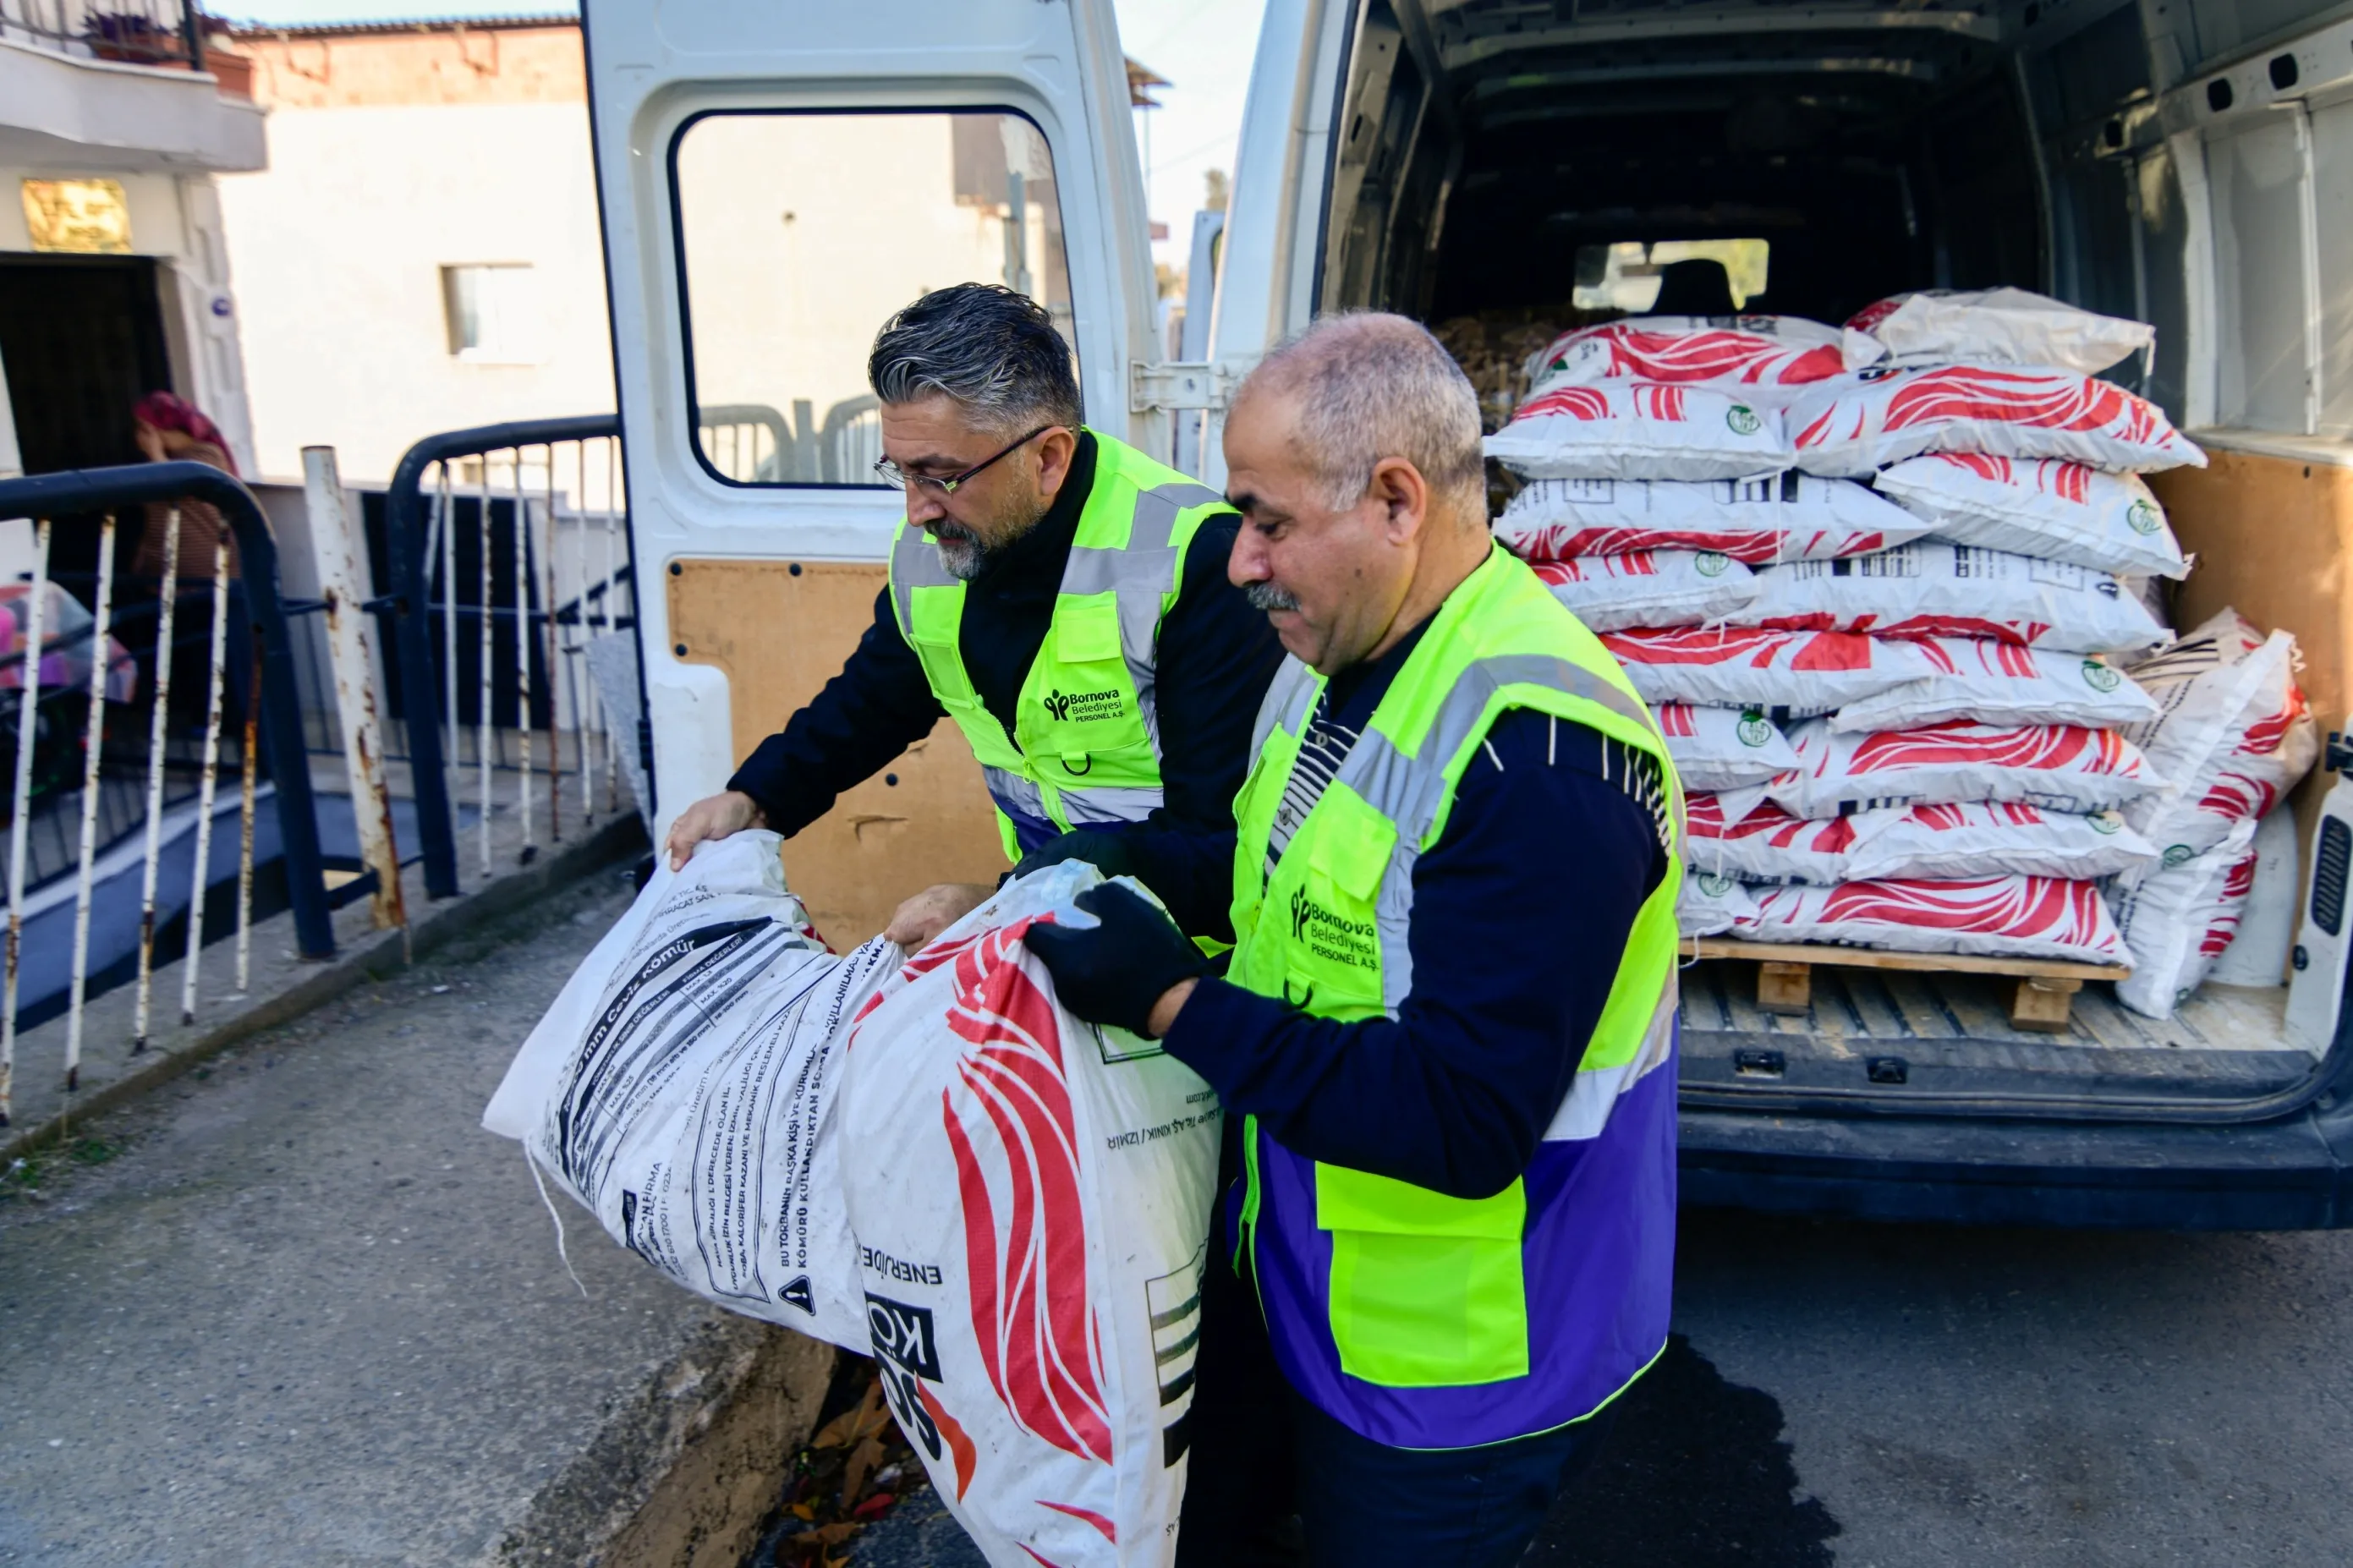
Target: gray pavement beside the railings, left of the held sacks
298, 1308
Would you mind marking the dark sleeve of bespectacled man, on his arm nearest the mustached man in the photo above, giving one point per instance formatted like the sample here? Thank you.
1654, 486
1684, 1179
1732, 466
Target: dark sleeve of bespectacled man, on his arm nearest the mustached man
1218, 656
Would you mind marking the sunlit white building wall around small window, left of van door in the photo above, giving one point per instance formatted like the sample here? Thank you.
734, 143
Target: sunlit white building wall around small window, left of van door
338, 255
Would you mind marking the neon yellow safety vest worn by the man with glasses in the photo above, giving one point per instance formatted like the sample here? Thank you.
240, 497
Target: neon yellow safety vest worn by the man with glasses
1086, 736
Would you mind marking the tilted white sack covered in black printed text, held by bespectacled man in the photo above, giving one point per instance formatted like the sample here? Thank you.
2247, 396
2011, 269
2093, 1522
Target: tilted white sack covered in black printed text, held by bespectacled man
684, 1089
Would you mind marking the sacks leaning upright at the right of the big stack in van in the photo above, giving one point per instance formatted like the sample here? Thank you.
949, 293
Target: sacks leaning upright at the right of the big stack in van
2232, 740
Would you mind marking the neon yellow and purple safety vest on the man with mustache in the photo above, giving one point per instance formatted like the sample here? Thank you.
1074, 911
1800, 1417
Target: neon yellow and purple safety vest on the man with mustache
1413, 1317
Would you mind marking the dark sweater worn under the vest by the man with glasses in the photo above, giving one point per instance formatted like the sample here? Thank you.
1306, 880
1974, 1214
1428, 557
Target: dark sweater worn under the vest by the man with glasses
1213, 670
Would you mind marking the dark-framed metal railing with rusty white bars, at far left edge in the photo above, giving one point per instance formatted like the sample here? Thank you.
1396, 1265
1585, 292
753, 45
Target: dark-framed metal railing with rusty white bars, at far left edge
251, 672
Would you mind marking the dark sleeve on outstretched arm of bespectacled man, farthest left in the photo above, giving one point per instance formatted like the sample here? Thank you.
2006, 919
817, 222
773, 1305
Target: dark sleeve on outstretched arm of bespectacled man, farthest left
872, 712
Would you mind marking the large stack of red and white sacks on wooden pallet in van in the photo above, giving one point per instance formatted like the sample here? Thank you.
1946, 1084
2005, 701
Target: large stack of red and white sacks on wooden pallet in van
1931, 649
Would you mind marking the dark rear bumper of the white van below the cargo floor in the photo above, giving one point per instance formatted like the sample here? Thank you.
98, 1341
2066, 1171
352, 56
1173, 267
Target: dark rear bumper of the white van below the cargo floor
2277, 1176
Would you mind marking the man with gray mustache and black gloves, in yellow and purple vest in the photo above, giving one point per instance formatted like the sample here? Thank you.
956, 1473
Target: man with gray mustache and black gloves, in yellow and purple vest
1446, 1042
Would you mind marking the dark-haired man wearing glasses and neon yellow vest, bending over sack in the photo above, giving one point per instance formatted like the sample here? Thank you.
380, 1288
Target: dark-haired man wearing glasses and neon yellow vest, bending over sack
1060, 597
